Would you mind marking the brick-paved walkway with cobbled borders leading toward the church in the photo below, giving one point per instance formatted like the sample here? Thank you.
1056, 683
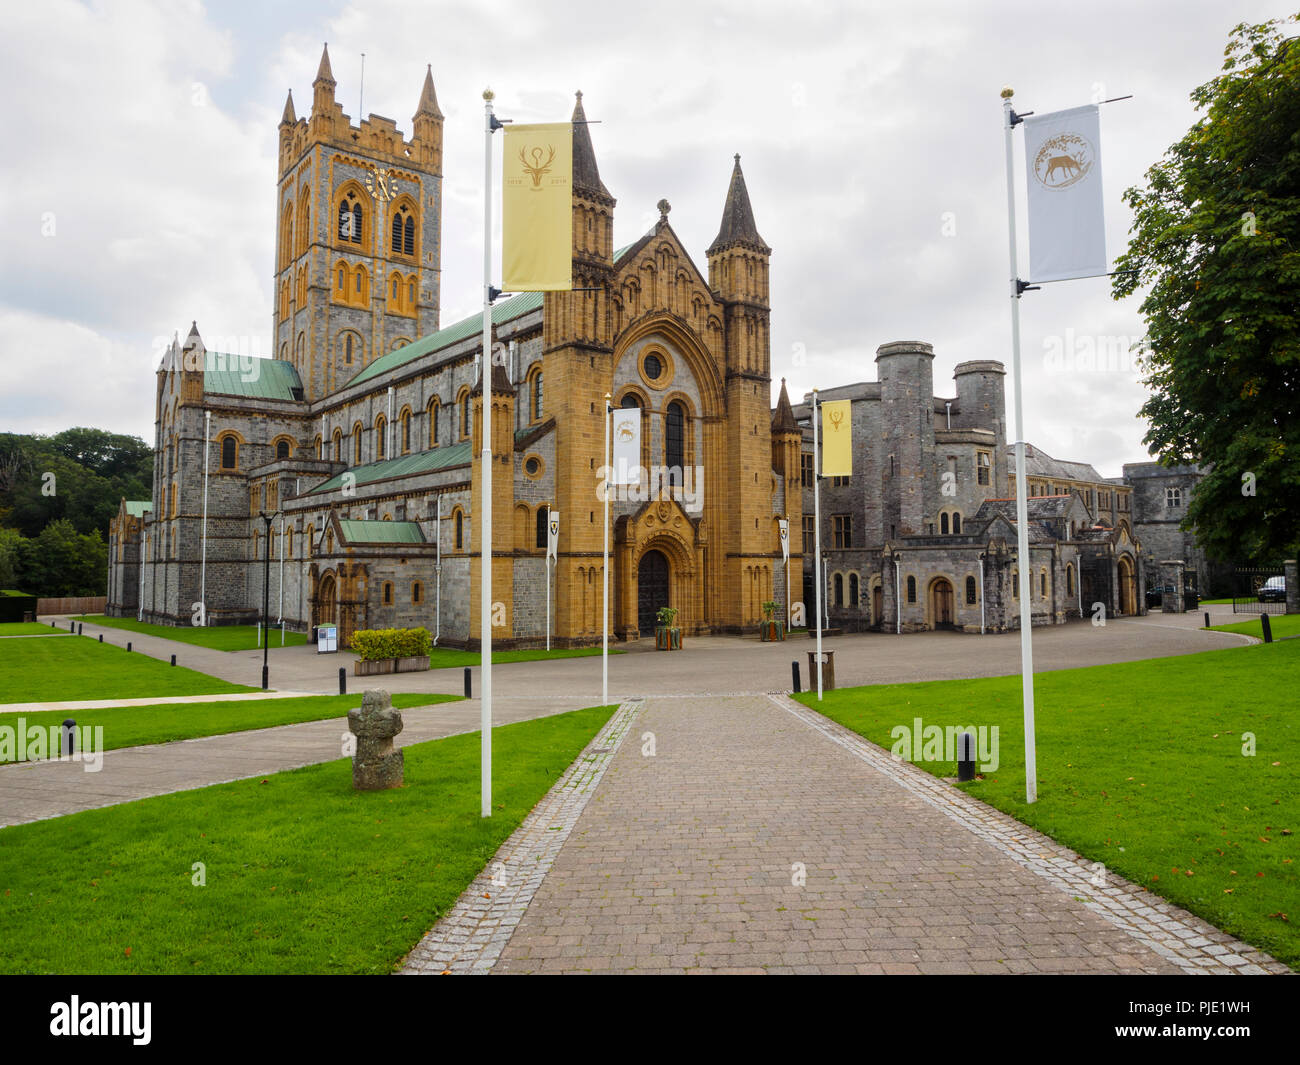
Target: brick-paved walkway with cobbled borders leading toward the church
690, 861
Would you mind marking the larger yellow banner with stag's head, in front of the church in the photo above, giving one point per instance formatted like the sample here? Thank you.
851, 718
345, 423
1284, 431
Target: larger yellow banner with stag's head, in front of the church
538, 209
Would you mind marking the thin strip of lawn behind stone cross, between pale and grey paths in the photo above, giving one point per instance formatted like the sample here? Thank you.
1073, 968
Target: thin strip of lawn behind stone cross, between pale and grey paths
135, 726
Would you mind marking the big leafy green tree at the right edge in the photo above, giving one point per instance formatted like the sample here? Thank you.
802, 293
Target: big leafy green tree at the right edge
1216, 236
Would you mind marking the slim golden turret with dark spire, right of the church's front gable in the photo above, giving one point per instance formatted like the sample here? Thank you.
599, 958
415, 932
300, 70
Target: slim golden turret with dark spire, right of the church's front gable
739, 263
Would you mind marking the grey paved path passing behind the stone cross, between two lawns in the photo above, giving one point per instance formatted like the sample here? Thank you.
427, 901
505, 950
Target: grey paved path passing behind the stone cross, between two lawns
34, 791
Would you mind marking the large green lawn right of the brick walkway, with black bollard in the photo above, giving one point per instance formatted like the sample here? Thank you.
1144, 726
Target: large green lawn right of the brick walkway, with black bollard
1142, 768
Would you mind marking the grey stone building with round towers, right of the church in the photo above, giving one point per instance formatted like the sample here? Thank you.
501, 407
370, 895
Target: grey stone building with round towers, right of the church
924, 534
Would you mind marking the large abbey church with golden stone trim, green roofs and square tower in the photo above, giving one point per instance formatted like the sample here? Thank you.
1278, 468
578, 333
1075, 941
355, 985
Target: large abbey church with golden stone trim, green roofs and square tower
361, 443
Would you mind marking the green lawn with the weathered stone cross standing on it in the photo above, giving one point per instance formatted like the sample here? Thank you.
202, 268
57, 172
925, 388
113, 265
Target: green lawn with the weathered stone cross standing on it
304, 874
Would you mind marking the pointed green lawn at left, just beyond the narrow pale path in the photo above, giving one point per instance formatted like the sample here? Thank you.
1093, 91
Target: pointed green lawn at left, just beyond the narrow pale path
84, 669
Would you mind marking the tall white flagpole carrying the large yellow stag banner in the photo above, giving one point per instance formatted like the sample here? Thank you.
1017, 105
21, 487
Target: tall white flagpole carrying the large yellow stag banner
486, 496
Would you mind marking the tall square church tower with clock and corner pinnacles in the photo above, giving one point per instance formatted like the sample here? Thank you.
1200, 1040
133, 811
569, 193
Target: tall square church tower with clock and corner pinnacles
358, 243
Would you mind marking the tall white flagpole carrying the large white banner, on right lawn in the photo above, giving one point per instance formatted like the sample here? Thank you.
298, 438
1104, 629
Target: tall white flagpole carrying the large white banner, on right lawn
1022, 521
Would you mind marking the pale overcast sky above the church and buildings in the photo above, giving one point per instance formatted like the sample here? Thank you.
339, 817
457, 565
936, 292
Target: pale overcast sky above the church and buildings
141, 174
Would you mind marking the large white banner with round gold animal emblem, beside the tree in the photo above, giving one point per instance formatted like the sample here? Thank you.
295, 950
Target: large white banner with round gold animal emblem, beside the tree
1063, 162
